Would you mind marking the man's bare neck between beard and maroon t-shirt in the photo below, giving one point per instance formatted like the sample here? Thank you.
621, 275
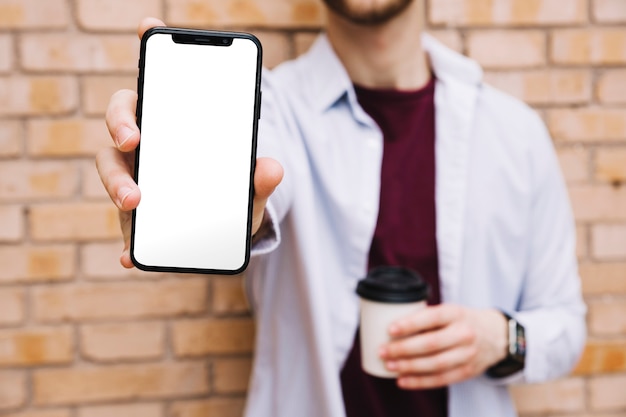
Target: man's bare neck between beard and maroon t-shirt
389, 55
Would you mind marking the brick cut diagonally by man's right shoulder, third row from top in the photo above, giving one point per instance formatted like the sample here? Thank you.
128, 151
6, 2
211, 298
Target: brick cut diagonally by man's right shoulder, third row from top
545, 87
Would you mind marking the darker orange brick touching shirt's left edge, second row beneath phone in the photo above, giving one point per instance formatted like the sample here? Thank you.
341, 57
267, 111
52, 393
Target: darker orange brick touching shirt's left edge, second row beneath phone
211, 336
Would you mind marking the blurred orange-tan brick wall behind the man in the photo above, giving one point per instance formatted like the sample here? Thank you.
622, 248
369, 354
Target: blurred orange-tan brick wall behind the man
81, 337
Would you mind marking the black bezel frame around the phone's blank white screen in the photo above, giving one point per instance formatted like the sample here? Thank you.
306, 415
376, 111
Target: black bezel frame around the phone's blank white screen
208, 37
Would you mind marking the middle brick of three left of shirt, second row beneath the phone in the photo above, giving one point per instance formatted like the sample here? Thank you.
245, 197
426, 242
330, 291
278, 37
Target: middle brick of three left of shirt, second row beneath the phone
122, 341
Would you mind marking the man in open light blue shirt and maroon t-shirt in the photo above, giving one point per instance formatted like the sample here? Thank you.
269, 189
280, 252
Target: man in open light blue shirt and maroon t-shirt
395, 152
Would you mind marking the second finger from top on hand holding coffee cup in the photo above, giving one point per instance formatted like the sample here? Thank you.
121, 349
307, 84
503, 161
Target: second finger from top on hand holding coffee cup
430, 342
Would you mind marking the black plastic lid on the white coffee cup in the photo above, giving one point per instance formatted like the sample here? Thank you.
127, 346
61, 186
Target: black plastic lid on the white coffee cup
393, 284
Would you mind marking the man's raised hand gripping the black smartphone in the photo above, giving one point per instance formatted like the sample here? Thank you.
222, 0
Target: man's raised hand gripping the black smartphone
116, 164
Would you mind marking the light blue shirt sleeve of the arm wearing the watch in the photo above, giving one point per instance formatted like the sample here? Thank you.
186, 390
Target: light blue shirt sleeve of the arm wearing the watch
551, 307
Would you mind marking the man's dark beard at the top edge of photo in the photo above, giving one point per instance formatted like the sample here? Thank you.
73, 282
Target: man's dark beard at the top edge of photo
371, 14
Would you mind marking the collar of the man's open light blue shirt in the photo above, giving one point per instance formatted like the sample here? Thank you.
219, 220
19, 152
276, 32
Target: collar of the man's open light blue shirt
329, 80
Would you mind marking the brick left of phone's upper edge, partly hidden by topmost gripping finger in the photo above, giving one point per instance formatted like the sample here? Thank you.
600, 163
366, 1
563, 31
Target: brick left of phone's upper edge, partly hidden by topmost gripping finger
98, 89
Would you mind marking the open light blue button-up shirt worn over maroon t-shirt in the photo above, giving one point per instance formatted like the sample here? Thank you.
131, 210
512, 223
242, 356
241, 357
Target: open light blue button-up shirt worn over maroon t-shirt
505, 231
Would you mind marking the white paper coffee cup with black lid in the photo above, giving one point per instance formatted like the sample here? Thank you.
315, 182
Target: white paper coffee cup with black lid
387, 294
